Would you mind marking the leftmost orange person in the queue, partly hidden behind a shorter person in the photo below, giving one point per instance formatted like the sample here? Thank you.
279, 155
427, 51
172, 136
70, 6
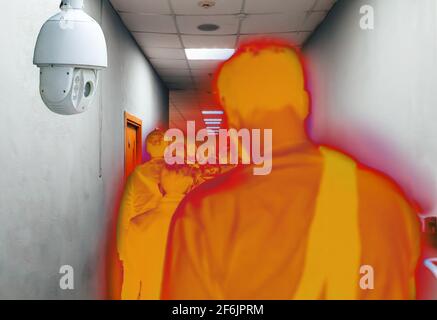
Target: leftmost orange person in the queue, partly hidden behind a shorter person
142, 193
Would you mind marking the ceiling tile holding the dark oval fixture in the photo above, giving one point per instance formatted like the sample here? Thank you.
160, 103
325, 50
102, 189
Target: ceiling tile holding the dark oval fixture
188, 24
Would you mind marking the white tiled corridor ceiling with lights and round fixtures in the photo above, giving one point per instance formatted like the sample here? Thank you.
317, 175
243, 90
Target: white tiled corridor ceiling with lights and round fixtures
164, 28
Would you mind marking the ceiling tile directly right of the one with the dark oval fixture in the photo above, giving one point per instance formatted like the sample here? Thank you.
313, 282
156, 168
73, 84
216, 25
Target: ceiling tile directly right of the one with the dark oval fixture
272, 23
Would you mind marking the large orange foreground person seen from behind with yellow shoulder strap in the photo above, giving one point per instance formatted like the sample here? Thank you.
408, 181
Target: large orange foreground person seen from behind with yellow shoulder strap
305, 230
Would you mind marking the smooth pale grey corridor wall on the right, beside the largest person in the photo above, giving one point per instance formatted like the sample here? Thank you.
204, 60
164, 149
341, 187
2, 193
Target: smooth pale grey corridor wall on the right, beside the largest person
374, 92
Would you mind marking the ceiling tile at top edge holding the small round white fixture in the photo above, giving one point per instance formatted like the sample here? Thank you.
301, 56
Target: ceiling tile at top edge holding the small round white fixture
191, 7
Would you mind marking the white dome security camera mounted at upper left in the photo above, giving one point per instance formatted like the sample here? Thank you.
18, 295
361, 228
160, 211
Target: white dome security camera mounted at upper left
70, 52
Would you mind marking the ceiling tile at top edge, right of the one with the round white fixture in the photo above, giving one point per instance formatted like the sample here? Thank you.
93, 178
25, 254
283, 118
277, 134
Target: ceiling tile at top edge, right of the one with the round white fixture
278, 6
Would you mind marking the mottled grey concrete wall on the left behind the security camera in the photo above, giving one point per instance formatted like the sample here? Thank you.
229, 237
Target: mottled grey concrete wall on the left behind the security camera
57, 194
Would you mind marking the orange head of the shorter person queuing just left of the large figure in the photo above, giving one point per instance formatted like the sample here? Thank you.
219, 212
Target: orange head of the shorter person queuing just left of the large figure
176, 179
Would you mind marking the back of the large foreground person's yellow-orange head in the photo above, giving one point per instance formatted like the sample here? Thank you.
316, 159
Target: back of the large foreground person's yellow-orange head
262, 76
